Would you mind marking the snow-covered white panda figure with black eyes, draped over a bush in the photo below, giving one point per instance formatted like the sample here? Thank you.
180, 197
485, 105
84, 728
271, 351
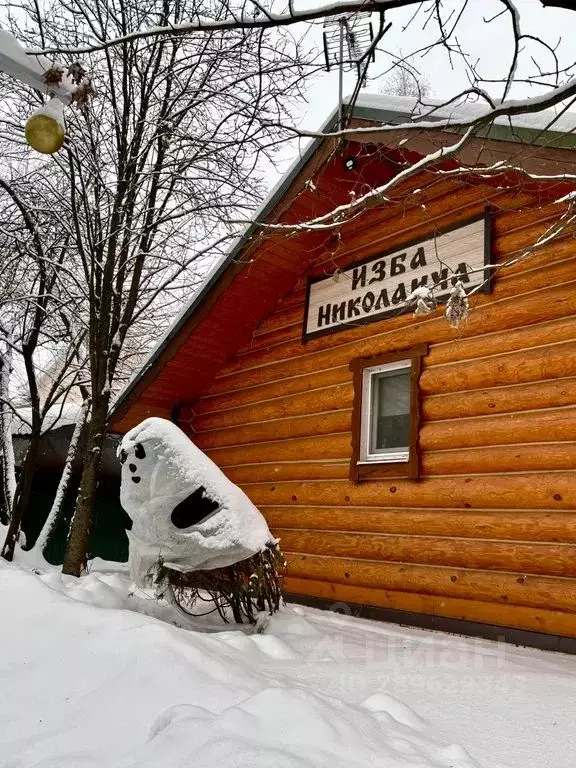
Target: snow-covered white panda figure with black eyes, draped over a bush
186, 514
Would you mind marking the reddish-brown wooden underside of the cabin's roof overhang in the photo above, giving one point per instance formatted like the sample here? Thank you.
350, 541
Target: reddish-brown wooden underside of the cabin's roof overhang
245, 292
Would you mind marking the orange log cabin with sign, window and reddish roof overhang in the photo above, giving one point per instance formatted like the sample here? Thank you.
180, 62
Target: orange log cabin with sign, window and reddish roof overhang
424, 471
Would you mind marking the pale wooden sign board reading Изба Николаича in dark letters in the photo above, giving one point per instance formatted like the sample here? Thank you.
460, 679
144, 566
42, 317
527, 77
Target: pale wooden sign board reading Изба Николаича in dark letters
381, 286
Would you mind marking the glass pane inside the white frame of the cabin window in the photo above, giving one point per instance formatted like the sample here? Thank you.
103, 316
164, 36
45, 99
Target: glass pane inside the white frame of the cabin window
390, 410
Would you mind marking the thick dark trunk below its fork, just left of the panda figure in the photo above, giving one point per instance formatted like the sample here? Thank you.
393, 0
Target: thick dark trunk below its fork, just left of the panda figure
81, 526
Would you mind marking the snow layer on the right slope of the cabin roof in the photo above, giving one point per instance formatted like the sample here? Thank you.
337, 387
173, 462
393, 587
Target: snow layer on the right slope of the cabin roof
406, 108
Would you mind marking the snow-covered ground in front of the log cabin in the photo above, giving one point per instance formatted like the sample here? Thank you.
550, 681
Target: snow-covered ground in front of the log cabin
88, 680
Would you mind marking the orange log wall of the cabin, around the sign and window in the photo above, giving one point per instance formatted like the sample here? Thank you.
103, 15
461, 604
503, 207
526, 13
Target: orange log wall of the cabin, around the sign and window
489, 532
